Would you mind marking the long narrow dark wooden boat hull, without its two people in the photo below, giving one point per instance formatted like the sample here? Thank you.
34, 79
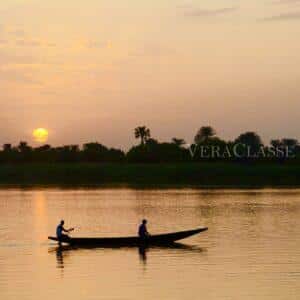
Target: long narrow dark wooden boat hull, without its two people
158, 239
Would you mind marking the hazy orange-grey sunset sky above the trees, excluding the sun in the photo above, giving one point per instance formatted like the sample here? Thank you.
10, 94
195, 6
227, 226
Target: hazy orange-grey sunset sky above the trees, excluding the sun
94, 70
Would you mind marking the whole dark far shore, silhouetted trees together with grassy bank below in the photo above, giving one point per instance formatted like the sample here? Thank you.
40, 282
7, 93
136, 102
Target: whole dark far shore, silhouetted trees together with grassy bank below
209, 161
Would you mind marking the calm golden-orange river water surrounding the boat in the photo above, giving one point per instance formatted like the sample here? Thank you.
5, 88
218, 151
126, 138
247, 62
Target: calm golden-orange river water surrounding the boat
251, 250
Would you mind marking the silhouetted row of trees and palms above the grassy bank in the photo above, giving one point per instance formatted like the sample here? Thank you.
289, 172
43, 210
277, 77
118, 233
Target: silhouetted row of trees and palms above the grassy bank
149, 150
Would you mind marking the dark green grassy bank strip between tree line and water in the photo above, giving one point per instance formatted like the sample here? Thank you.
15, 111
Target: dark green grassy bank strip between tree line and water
194, 174
